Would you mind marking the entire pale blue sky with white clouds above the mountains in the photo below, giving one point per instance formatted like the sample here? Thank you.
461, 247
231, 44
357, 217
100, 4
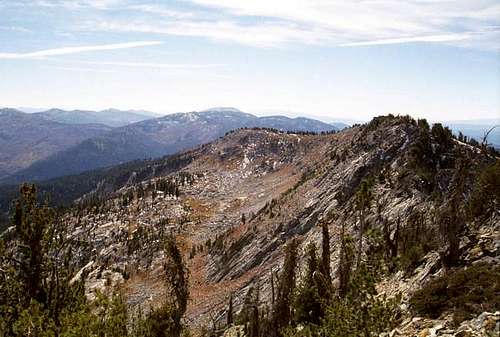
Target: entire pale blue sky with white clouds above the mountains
331, 59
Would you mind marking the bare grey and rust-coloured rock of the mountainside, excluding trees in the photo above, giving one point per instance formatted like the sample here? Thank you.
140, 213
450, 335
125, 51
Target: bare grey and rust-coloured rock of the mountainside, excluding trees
251, 191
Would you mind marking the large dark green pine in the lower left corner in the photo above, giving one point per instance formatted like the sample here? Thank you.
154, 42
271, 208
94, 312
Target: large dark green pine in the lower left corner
35, 270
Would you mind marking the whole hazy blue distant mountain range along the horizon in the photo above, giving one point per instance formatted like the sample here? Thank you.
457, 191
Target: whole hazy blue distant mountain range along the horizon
48, 144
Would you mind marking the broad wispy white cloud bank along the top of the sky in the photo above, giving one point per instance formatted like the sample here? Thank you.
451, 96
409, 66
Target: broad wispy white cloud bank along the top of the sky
276, 23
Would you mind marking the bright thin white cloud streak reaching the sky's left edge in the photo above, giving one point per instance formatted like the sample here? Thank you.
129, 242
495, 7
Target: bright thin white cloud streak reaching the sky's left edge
75, 50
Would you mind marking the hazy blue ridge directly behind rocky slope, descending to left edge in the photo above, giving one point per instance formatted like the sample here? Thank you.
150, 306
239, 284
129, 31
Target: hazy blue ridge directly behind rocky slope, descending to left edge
154, 138
